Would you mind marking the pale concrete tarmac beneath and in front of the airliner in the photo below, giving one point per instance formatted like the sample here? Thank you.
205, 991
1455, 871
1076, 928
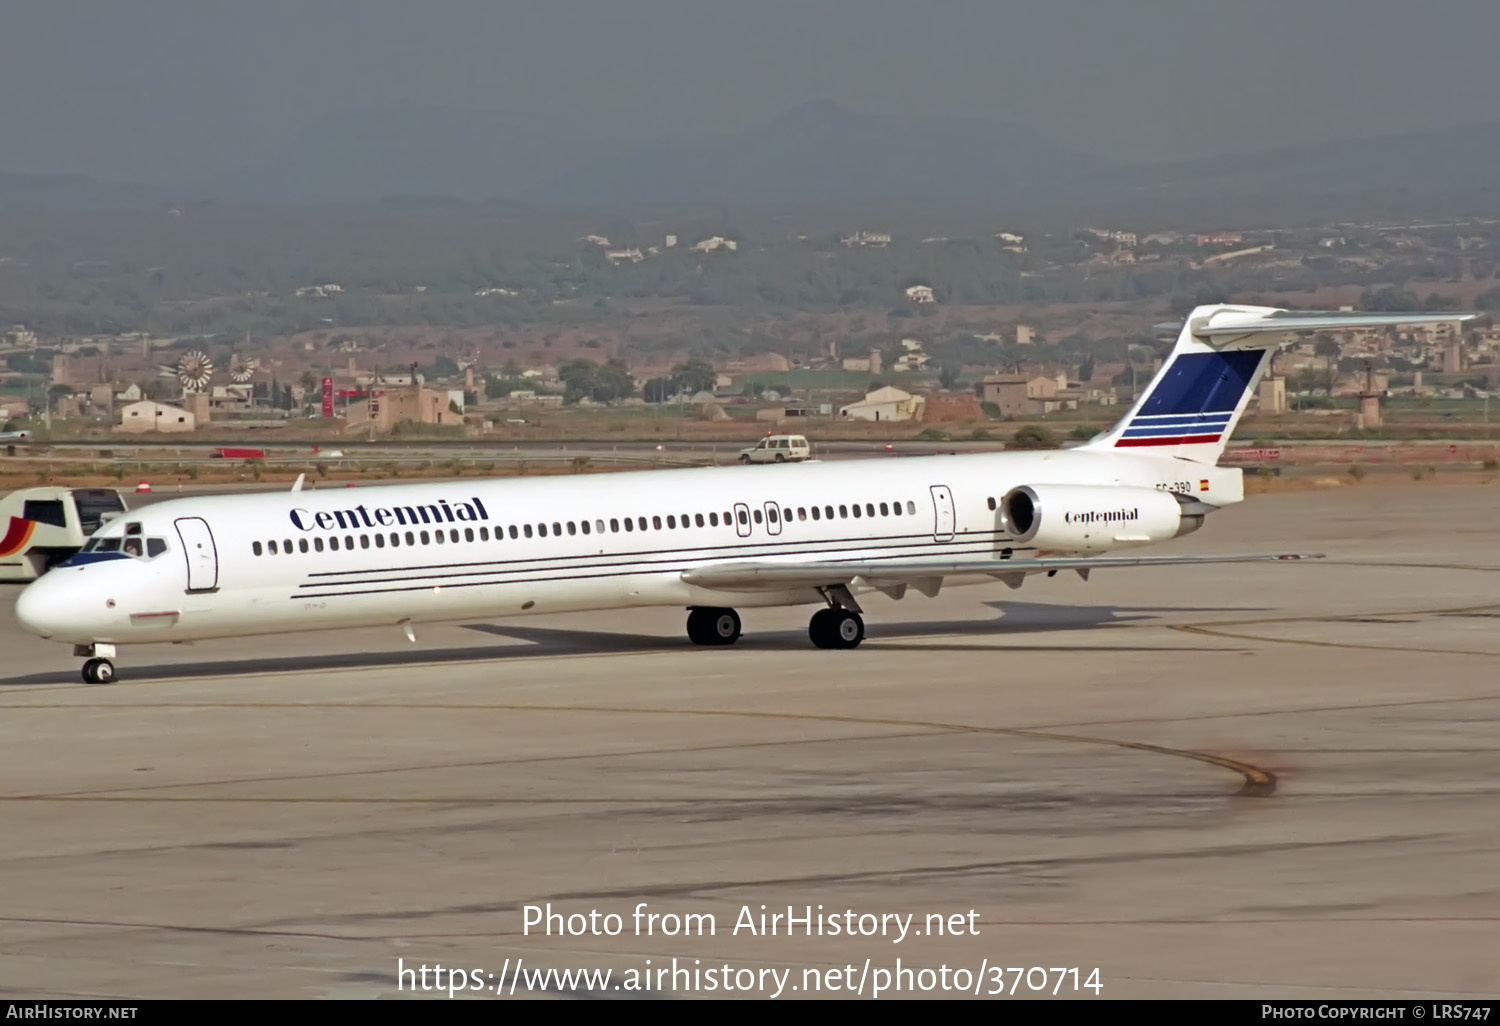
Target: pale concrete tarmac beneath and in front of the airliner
1265, 781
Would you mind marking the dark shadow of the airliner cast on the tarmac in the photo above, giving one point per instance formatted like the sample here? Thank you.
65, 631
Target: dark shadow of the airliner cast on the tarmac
1016, 619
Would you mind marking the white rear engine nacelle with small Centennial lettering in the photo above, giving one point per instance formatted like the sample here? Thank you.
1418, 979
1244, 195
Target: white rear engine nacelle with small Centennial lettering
1091, 518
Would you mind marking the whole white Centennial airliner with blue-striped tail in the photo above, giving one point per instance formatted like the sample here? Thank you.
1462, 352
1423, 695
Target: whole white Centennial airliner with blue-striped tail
707, 539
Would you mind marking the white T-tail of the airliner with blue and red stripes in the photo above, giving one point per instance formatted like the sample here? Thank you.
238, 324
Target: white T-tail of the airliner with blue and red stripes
1192, 407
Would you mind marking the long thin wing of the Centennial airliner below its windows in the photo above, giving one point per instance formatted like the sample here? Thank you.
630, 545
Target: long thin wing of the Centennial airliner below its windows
895, 575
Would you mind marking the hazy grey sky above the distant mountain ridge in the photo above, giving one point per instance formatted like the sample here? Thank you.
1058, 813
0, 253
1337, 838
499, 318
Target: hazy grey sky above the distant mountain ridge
163, 91
